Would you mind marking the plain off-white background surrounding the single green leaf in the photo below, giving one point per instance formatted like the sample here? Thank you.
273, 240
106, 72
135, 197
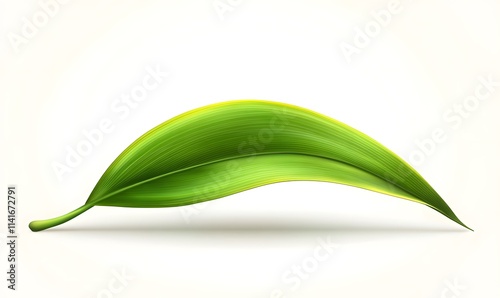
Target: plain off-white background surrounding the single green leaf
397, 88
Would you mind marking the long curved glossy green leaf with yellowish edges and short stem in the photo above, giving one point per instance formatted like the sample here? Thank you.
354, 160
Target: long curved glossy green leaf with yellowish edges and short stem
229, 147
